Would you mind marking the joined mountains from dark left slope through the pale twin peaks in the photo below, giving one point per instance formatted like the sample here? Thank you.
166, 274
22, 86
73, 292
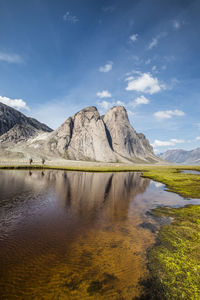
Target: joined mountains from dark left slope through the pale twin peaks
84, 136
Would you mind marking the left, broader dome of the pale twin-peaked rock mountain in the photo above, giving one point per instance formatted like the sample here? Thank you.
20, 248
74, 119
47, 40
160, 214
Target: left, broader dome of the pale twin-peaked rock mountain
83, 137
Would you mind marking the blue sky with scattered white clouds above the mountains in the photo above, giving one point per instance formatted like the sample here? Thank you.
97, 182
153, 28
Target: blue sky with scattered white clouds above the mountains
58, 57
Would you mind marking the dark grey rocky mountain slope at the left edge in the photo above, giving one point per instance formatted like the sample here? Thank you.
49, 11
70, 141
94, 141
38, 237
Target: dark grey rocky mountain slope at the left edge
15, 126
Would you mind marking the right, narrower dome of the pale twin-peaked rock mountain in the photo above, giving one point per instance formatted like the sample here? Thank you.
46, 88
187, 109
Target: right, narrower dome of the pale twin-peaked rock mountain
124, 140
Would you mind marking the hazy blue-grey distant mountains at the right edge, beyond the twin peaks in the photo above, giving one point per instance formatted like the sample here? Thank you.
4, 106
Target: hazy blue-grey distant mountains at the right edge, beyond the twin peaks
191, 157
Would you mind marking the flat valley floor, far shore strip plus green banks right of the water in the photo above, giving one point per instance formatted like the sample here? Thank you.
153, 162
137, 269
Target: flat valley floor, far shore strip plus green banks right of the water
174, 261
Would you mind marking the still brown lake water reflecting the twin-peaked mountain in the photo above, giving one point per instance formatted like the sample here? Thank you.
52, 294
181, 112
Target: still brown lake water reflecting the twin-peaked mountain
75, 235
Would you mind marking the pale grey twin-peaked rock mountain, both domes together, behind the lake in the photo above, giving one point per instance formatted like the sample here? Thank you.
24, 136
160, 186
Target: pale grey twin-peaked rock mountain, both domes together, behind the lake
111, 138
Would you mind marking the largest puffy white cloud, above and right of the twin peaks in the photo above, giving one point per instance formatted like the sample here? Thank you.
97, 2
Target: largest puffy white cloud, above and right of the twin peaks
145, 83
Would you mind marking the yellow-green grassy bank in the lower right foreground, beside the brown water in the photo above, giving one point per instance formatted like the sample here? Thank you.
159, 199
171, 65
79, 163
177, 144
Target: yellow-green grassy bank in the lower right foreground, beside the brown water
174, 262
